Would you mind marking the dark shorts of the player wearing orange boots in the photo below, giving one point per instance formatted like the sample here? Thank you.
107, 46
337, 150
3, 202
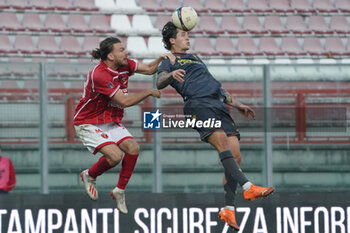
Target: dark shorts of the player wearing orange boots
210, 110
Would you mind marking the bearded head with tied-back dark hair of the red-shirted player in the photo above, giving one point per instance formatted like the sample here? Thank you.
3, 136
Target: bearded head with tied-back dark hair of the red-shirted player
112, 50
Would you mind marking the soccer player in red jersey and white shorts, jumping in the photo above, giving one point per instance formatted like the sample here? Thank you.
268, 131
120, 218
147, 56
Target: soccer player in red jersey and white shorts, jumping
98, 116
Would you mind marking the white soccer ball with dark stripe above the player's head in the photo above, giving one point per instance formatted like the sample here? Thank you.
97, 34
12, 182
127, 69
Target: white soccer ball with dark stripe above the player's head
185, 18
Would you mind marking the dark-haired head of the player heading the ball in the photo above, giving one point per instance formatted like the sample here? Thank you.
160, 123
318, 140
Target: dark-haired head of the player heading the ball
175, 39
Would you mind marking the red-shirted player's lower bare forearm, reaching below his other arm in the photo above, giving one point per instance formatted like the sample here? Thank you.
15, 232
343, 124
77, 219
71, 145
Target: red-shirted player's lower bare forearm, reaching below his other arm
130, 100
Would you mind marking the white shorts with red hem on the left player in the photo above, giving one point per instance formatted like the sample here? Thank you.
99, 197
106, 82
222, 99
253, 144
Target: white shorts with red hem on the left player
96, 136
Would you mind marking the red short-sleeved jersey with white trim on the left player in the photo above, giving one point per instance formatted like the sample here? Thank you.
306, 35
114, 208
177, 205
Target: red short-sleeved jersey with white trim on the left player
96, 105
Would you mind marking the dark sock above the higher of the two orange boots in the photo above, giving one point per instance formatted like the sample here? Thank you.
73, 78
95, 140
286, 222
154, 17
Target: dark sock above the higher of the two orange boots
232, 168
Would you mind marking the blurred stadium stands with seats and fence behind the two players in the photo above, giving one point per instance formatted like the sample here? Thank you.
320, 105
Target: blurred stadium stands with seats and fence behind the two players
288, 56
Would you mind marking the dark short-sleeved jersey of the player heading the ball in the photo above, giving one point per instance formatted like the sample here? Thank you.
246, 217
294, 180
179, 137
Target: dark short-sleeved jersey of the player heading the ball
198, 81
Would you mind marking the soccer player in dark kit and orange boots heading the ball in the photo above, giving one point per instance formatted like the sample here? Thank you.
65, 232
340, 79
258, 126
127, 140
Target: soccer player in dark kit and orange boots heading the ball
205, 99
